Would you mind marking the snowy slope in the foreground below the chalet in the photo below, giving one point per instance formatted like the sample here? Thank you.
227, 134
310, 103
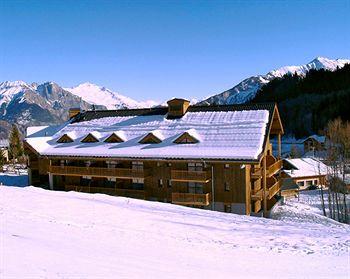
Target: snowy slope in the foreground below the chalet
46, 234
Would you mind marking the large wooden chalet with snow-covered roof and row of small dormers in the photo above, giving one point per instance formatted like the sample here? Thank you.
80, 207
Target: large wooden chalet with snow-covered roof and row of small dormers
212, 157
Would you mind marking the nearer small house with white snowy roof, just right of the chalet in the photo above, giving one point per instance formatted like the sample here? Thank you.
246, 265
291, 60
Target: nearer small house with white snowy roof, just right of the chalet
305, 172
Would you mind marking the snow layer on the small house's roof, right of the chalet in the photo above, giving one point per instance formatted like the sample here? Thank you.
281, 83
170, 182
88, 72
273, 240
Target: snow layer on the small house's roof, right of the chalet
304, 167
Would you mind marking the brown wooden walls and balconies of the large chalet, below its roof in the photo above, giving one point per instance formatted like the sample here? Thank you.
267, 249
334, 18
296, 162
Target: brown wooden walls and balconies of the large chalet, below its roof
245, 187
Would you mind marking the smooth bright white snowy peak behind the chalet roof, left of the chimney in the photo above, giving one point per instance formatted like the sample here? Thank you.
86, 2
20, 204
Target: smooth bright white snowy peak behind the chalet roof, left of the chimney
99, 95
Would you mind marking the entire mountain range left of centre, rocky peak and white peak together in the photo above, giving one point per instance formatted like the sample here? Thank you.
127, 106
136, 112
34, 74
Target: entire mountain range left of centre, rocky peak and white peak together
48, 103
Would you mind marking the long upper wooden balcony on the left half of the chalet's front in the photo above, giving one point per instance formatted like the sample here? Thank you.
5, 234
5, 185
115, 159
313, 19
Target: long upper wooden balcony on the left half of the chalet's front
99, 172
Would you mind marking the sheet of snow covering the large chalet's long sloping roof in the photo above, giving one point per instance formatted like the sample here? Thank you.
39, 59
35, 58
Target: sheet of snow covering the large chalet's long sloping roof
235, 135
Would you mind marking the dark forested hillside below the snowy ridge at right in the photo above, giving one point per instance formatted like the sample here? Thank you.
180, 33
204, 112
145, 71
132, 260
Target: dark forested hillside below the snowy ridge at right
307, 103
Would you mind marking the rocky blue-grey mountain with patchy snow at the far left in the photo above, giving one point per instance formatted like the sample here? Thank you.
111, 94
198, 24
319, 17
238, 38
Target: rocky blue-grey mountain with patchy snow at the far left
32, 104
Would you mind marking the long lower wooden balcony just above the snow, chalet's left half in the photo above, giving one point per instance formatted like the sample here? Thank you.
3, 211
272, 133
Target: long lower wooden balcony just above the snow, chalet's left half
130, 193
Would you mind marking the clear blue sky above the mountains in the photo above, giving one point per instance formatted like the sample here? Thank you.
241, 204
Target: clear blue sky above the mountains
162, 49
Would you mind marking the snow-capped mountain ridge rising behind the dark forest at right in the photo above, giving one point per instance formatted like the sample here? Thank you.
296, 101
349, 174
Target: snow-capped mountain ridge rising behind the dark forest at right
246, 90
